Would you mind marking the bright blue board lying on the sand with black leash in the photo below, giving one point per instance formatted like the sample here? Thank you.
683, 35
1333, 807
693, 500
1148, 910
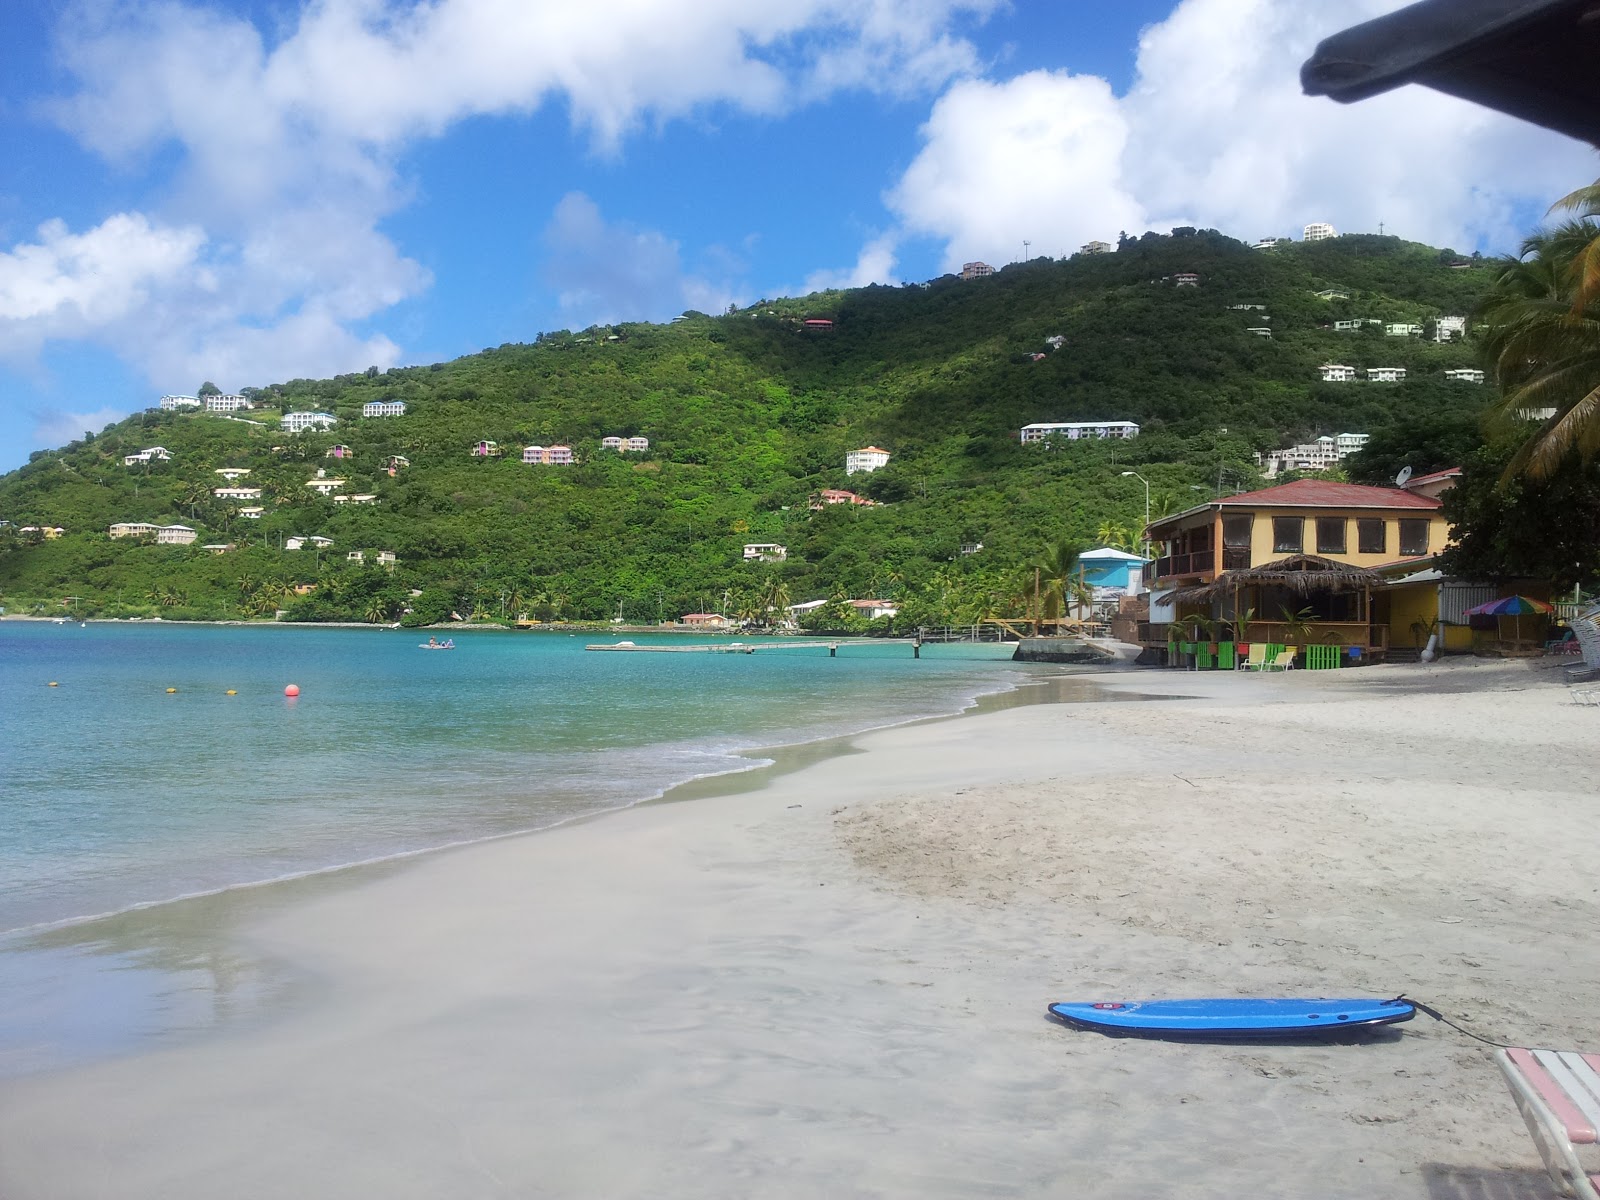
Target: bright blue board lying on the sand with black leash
1233, 1018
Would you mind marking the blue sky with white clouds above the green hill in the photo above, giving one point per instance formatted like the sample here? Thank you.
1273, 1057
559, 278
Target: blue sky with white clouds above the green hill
254, 191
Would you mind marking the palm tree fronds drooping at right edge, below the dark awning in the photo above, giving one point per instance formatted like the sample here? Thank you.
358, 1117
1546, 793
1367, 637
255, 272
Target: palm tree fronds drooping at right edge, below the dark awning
1543, 343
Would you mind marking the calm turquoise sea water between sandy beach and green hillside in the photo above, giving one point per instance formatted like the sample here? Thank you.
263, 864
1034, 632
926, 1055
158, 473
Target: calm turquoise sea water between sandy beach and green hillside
116, 793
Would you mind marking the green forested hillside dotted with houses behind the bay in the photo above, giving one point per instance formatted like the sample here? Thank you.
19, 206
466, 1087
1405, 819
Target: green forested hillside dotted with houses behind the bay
748, 415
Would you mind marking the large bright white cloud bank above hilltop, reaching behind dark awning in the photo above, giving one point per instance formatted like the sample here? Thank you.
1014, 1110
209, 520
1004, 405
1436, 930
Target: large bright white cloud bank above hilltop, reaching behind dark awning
1215, 132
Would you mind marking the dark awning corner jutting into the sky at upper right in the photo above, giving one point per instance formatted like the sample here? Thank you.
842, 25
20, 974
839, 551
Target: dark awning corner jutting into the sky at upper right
1530, 58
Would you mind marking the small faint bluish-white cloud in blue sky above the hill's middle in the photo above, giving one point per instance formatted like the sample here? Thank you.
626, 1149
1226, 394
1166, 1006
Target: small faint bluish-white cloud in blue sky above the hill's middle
612, 271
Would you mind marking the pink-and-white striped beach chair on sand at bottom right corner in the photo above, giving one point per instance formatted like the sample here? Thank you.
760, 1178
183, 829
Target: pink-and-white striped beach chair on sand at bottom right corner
1559, 1097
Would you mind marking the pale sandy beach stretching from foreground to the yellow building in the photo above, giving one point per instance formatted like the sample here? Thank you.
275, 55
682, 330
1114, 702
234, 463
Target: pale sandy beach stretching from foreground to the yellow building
834, 986
